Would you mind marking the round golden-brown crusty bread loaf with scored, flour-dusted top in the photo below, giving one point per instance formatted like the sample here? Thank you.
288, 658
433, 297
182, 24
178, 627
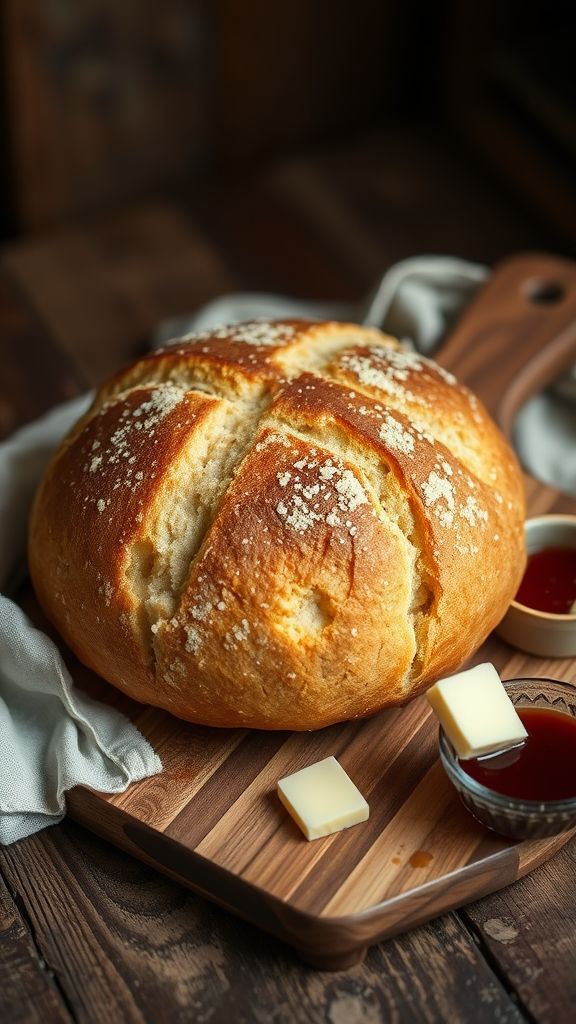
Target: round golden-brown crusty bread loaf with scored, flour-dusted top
279, 525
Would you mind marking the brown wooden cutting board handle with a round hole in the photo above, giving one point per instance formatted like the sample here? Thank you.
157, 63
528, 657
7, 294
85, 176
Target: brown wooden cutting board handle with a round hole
518, 334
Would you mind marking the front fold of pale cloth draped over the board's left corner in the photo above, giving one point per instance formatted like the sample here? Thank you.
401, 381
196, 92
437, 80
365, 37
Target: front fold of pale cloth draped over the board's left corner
54, 737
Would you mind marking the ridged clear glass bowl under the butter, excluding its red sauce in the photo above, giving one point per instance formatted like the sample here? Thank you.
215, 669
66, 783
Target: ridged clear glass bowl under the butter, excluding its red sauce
509, 816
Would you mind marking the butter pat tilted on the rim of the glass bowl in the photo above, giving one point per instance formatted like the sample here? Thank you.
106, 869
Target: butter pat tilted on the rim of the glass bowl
476, 712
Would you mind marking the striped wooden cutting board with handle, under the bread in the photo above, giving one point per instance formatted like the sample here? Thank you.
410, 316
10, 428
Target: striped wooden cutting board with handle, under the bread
213, 821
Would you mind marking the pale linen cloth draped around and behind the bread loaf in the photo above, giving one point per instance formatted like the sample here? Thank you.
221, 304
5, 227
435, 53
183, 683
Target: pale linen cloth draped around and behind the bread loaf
52, 736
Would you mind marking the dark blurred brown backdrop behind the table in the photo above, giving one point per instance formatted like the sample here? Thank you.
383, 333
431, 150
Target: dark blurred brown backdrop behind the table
108, 103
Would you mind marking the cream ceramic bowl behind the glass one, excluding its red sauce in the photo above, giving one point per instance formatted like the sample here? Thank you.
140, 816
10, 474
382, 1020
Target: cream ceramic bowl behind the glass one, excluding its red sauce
543, 632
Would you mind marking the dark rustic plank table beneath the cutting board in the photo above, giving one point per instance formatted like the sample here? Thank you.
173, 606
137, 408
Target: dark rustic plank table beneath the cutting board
89, 934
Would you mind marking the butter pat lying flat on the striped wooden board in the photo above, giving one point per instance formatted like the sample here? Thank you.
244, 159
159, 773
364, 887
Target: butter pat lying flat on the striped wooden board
322, 799
